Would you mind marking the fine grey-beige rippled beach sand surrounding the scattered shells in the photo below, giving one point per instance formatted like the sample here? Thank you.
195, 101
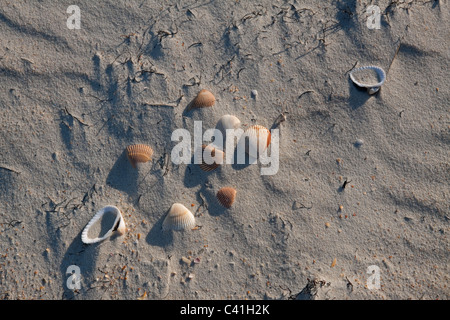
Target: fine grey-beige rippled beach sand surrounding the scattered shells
71, 100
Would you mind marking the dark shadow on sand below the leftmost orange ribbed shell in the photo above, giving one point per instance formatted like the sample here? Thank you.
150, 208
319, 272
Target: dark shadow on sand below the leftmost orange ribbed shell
123, 176
